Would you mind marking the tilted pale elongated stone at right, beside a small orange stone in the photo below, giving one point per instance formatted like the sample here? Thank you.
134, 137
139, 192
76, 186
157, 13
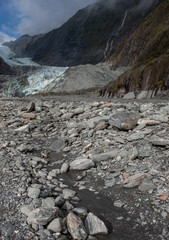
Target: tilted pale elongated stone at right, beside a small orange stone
134, 181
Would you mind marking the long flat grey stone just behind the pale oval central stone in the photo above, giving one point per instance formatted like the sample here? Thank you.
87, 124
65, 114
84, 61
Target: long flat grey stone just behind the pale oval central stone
104, 156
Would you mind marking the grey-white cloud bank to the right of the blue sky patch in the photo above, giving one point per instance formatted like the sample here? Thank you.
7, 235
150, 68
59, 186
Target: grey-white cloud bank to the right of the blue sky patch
41, 16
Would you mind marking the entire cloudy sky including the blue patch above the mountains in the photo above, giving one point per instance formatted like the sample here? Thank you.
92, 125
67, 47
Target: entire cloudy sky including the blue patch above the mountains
18, 17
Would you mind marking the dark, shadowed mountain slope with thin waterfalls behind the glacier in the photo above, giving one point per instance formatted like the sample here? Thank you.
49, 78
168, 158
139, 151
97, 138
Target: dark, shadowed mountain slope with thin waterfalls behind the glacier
87, 36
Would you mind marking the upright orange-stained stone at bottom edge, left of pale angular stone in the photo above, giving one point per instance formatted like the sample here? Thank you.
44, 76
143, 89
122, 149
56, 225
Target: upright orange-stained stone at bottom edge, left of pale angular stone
75, 227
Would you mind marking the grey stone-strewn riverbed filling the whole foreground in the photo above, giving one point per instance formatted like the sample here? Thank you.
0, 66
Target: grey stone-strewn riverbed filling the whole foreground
83, 169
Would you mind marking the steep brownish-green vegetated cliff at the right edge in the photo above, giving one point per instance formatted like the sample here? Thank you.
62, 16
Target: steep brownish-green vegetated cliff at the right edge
146, 52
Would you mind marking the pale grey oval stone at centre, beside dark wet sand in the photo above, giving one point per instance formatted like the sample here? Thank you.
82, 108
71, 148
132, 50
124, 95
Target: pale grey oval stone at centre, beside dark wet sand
81, 164
